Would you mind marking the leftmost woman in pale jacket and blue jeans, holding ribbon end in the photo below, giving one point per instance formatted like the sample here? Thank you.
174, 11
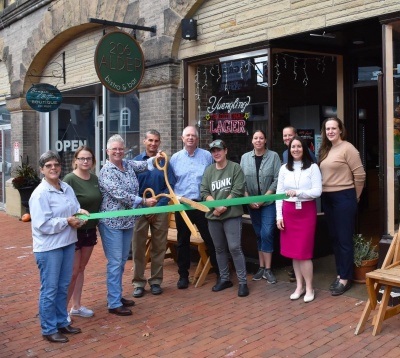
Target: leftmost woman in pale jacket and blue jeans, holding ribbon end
53, 205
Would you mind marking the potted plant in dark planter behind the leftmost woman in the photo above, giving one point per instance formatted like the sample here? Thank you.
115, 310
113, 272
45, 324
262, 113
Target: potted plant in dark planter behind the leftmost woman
25, 180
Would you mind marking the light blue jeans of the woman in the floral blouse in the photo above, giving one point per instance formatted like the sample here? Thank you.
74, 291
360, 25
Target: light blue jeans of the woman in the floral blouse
116, 246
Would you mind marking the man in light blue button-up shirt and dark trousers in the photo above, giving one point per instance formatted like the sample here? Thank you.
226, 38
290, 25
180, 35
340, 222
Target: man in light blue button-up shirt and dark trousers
188, 166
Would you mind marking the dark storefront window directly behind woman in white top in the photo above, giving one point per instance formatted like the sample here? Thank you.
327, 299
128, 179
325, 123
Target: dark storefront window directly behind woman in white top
304, 93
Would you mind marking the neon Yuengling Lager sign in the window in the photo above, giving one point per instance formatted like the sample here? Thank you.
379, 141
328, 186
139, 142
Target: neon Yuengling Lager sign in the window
228, 117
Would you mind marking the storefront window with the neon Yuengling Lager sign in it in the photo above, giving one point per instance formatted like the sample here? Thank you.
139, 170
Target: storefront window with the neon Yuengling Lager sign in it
232, 100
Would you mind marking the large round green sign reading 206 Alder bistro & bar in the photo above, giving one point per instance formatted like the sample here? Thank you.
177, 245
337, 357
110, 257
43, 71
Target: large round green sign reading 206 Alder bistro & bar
119, 62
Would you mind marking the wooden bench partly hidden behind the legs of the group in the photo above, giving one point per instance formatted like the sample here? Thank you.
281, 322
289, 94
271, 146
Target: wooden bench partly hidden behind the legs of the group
204, 265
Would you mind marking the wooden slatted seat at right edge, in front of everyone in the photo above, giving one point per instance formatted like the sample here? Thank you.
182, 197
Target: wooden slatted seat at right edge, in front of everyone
389, 276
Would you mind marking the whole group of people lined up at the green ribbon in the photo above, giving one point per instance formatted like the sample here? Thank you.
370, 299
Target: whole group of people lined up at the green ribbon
63, 243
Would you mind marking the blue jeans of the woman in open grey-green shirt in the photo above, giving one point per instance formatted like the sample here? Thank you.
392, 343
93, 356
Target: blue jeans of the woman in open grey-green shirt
264, 221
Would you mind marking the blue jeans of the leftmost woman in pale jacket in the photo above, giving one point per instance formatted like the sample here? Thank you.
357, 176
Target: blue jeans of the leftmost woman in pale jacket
55, 268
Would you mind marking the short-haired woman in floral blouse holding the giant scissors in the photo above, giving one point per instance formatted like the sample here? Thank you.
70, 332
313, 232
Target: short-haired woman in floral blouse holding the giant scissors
119, 187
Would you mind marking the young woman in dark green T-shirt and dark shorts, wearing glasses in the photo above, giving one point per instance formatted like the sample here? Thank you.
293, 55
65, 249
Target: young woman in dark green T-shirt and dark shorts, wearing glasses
86, 188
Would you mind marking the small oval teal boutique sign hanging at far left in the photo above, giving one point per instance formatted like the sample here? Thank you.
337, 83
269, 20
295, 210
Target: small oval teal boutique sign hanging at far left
43, 97
